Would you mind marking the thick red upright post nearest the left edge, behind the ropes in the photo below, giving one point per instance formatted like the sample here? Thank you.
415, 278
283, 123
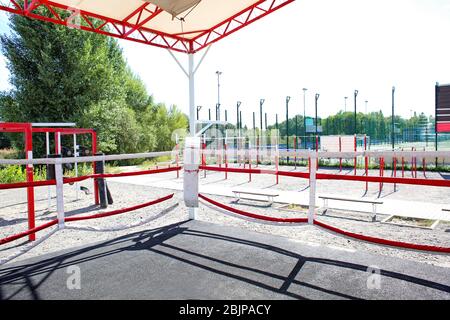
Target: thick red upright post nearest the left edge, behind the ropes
30, 178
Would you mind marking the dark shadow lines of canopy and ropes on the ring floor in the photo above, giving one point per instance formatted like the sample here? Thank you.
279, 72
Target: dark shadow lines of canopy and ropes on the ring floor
156, 241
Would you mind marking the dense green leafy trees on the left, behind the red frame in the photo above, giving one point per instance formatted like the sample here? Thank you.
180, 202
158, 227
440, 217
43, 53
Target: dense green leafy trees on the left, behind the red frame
68, 75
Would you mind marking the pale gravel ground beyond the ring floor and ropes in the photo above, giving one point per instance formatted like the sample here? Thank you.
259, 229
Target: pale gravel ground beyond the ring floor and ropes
13, 217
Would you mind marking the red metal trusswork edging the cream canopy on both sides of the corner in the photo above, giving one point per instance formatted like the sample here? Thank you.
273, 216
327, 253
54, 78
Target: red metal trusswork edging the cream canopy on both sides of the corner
136, 31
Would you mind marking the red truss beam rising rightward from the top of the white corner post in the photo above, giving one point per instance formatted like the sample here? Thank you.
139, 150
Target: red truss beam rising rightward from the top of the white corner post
240, 20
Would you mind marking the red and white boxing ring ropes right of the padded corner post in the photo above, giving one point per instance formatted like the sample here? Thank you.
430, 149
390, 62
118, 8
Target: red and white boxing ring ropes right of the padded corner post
313, 176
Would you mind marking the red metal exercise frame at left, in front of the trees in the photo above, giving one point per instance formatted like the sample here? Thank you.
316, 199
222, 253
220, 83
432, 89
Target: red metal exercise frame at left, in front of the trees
27, 129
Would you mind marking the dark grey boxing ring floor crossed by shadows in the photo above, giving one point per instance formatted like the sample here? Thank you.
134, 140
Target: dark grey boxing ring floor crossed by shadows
197, 260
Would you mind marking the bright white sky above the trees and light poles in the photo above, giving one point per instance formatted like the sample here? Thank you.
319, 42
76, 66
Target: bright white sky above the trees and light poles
330, 47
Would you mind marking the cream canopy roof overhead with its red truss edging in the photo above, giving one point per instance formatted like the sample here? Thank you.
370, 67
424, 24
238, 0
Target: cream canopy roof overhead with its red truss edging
180, 25
